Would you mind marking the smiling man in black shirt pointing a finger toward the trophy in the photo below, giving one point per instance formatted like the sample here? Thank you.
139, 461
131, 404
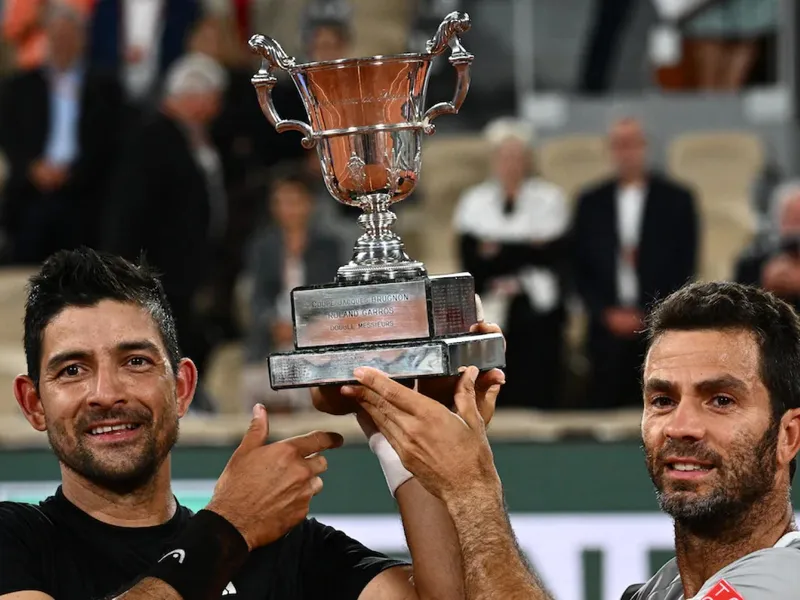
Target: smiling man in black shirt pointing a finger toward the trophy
106, 382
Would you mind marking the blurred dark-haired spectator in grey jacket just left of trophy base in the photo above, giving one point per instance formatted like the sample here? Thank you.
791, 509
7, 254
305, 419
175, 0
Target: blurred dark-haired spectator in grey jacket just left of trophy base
287, 254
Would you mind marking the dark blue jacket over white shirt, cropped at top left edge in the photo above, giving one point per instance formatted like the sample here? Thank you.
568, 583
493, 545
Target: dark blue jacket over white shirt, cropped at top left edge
105, 36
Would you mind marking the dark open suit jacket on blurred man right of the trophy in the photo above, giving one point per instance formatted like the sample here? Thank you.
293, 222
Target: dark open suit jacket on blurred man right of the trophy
667, 253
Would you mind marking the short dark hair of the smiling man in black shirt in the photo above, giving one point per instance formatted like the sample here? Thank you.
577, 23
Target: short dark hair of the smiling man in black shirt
83, 278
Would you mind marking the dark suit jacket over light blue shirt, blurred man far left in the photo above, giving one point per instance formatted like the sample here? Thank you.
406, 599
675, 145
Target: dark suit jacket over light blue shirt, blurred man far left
25, 126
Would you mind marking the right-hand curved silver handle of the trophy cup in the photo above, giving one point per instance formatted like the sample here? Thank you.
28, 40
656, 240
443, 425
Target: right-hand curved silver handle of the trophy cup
447, 36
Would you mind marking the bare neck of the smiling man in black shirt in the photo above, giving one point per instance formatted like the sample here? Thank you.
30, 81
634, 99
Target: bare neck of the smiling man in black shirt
152, 504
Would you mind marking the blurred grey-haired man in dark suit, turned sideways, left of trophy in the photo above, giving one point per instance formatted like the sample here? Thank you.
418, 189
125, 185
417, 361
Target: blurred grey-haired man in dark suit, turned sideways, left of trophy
169, 195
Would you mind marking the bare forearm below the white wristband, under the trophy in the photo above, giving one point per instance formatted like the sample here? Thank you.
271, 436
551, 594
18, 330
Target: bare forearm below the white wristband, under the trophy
433, 543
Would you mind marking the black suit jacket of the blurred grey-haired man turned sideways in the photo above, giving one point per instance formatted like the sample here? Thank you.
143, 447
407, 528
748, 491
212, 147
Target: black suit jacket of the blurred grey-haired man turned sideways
160, 204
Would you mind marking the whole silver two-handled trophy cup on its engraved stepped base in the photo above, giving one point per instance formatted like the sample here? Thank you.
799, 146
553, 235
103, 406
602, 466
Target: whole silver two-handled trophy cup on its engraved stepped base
367, 120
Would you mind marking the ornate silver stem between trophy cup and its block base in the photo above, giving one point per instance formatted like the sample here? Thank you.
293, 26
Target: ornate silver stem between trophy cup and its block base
379, 254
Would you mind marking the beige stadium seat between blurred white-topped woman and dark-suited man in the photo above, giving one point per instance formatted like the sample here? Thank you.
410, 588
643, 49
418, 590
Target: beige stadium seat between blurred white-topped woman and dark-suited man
574, 162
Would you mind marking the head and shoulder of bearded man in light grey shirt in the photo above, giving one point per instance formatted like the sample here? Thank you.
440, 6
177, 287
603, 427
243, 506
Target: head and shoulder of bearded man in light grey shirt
721, 429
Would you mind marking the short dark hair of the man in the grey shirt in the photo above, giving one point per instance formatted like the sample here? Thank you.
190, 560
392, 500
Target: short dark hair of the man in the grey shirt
733, 306
